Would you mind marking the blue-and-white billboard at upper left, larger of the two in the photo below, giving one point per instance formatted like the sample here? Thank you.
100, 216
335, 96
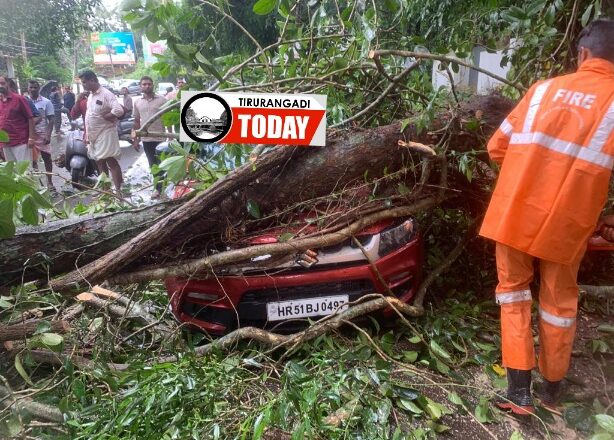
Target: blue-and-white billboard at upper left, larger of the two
113, 48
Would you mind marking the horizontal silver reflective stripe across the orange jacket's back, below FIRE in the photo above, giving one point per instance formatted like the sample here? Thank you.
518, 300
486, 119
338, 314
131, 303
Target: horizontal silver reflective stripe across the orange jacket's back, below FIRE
564, 147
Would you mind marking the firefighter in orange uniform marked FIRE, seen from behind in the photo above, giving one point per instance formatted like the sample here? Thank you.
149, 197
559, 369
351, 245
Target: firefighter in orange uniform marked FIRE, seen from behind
556, 151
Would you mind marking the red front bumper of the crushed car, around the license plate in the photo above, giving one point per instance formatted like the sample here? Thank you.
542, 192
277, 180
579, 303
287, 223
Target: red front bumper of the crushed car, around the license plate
241, 300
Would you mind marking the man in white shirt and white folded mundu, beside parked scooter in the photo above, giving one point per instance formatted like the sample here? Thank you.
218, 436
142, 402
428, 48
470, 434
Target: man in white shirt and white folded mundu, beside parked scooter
103, 112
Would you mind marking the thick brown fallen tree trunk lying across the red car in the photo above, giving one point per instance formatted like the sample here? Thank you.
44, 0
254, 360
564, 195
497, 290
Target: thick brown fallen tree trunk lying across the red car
279, 181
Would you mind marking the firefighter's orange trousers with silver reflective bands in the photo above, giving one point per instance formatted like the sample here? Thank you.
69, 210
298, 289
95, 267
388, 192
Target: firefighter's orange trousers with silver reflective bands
558, 304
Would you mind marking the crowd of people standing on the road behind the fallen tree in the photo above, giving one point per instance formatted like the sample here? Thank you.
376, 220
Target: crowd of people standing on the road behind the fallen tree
31, 119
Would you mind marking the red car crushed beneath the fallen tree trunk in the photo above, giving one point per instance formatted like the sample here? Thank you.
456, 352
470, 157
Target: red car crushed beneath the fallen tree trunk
313, 284
